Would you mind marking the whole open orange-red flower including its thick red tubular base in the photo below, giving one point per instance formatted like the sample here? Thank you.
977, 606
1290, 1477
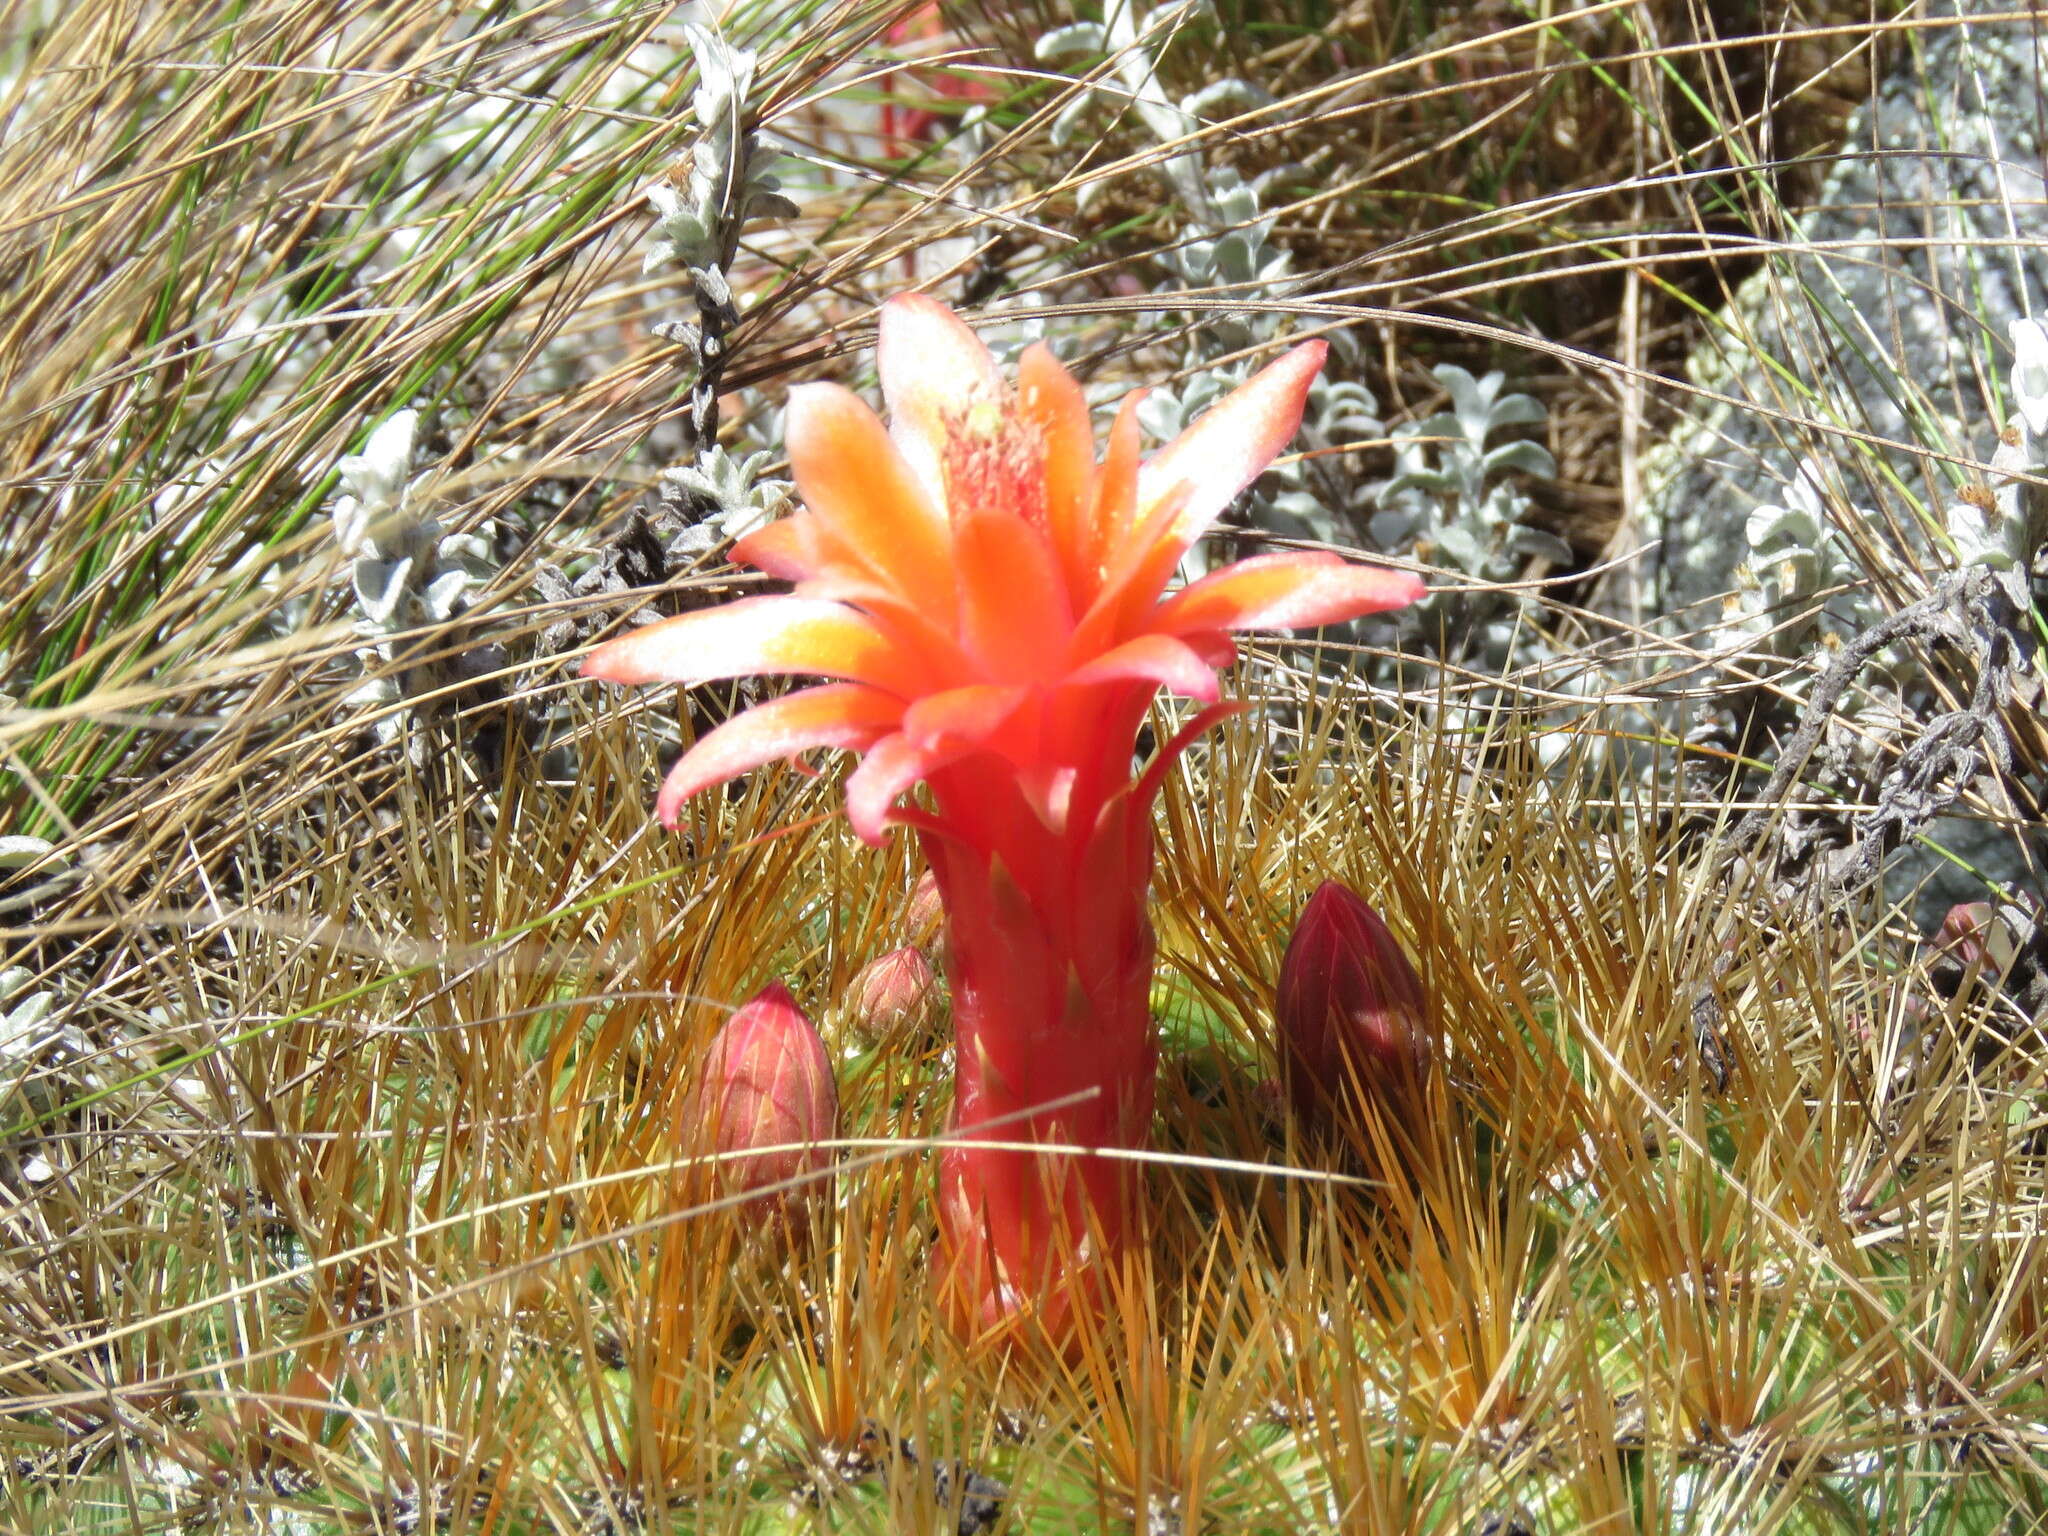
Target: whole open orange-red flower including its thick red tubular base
988, 607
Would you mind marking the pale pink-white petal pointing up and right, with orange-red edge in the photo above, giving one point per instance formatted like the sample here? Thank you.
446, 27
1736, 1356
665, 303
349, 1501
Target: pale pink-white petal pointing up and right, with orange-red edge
1232, 443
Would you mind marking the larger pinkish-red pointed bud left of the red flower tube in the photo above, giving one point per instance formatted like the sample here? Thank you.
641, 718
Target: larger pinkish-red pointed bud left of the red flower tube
769, 1084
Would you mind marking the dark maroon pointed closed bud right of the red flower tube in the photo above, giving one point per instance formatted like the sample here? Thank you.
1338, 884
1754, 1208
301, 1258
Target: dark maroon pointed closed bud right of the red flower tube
1351, 1007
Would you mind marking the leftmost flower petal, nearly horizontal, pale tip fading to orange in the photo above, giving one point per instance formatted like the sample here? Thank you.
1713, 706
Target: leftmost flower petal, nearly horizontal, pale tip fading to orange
761, 636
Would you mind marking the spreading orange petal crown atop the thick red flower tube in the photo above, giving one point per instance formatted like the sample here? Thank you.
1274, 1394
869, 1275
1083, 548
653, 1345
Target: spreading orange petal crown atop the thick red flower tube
974, 583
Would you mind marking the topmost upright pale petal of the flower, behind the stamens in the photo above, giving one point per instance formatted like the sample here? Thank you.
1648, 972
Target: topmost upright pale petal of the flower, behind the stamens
937, 376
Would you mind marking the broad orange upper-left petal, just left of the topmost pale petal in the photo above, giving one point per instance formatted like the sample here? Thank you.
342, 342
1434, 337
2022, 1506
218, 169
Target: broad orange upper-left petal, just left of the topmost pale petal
857, 484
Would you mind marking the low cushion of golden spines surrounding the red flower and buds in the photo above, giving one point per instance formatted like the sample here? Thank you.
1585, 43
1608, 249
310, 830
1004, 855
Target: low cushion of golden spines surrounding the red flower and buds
427, 1238
